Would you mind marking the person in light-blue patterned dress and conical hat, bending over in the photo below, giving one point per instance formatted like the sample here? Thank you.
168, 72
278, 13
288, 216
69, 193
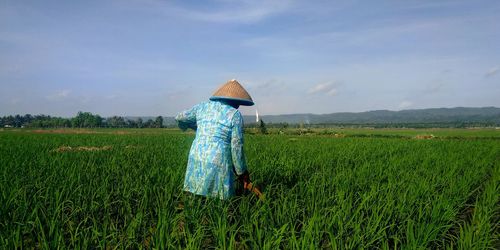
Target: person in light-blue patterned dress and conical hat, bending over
216, 159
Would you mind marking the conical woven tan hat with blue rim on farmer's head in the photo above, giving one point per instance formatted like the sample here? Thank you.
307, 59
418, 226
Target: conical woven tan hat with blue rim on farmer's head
232, 90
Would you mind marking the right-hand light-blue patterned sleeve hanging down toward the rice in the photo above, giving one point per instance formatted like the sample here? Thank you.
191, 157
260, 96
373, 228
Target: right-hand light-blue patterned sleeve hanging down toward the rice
237, 153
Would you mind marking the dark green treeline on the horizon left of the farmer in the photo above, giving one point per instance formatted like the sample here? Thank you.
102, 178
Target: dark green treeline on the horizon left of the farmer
81, 120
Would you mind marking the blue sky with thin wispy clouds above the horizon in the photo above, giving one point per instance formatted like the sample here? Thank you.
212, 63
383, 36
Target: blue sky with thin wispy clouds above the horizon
152, 57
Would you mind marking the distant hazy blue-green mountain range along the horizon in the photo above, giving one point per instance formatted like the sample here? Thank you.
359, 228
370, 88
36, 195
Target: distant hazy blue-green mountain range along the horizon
484, 115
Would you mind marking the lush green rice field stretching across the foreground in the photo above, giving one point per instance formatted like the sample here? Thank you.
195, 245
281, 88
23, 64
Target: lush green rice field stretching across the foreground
119, 189
